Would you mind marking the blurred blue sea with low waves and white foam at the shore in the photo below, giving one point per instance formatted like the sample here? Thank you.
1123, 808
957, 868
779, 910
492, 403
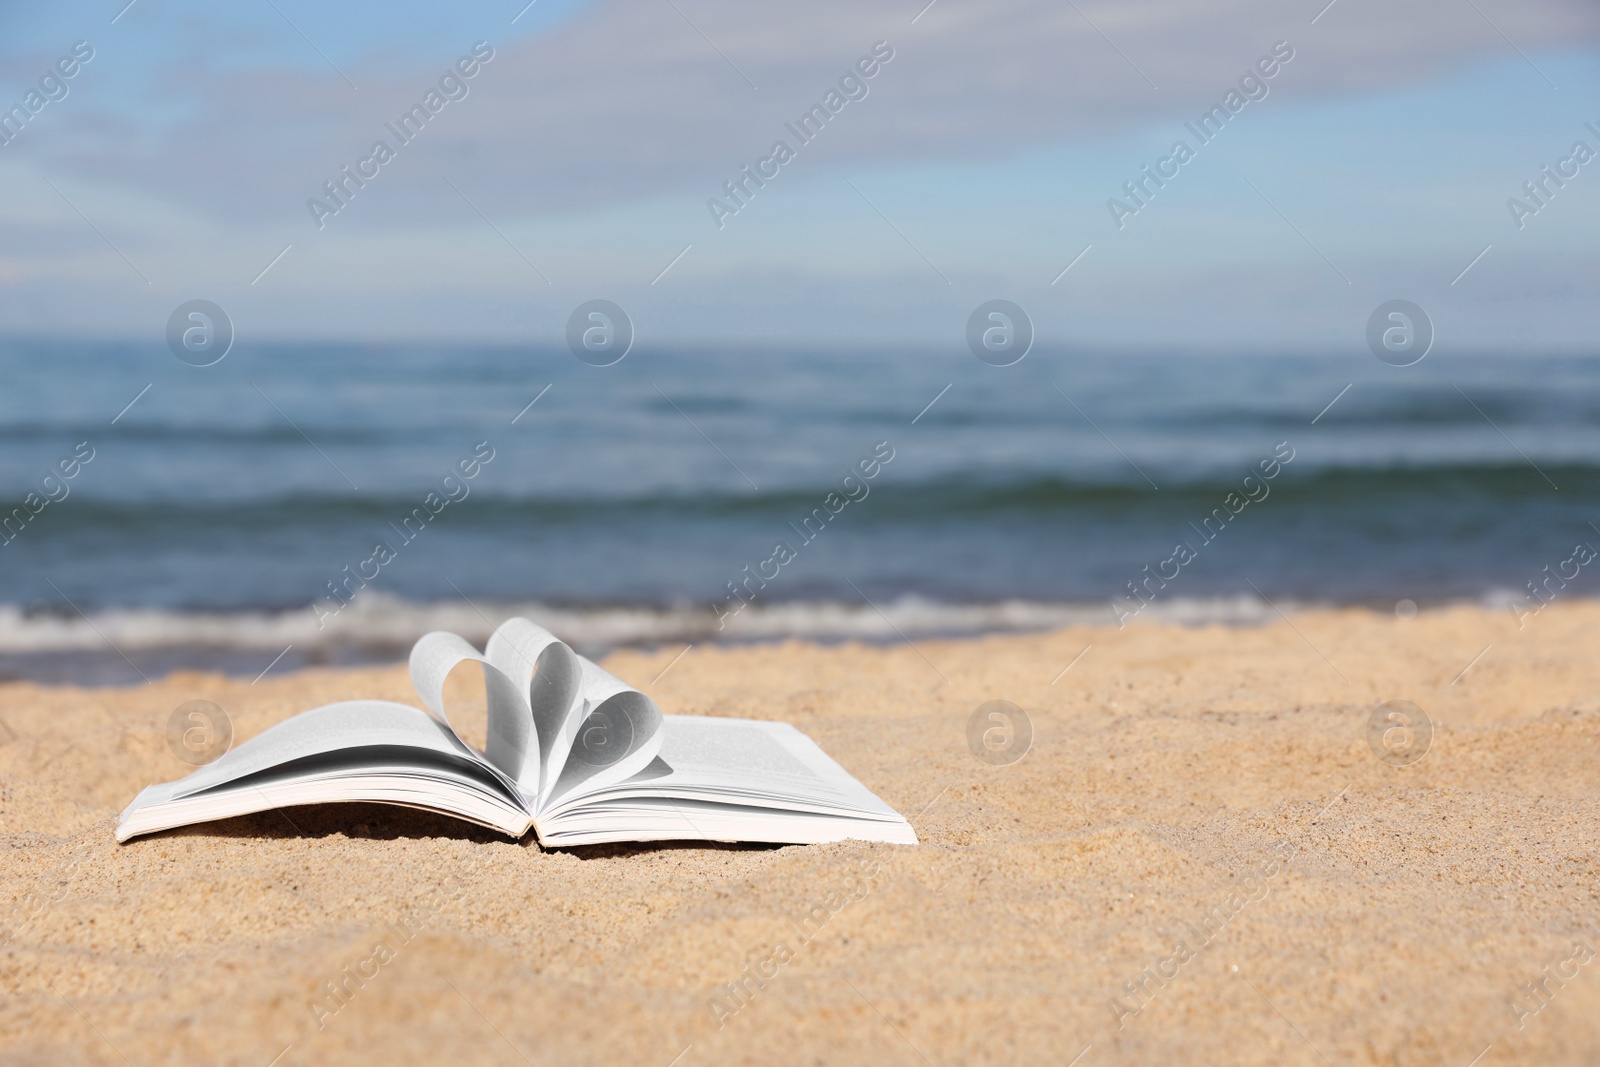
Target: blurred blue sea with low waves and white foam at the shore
230, 518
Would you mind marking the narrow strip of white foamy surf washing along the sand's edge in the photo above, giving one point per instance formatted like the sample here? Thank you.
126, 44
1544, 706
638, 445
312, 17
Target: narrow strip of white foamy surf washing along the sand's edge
126, 645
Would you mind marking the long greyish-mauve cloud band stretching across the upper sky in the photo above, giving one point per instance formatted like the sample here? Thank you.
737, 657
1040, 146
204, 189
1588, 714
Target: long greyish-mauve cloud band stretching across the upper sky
631, 102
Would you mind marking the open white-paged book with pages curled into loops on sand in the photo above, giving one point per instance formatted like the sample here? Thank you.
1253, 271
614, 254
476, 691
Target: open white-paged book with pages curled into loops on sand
574, 753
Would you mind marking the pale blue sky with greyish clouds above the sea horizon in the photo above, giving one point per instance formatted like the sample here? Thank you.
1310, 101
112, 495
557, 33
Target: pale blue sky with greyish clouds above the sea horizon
586, 159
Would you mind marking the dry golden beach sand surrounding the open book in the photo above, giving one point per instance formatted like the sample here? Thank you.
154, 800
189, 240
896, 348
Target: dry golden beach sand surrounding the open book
1202, 786
